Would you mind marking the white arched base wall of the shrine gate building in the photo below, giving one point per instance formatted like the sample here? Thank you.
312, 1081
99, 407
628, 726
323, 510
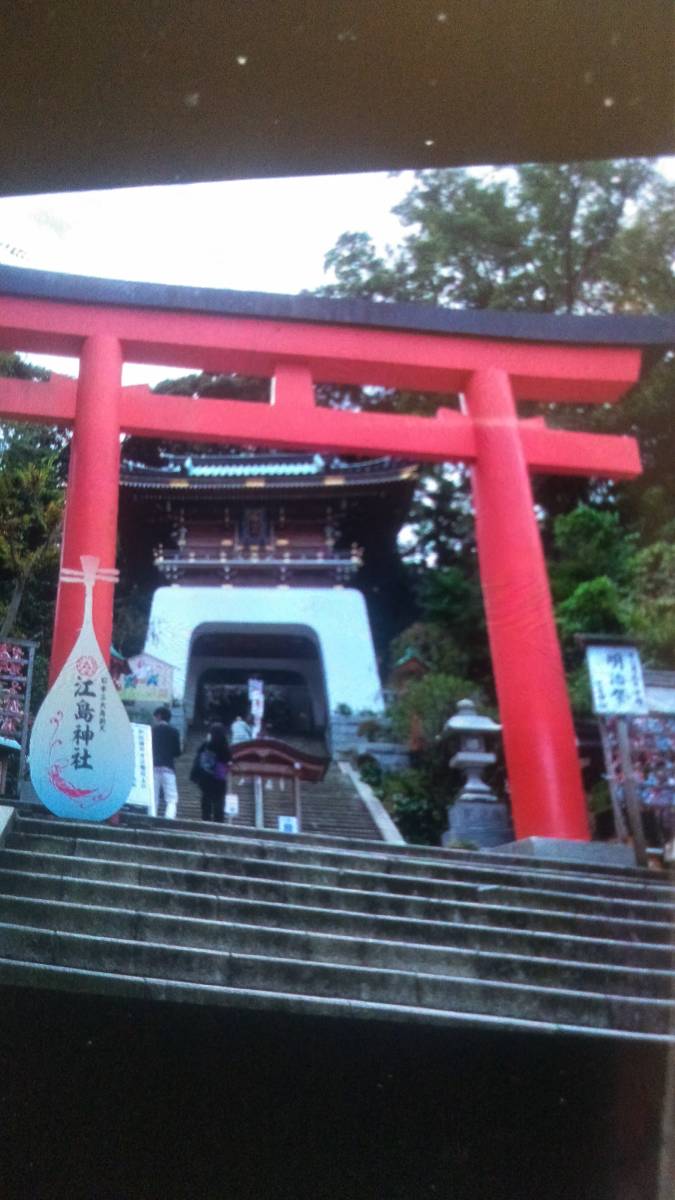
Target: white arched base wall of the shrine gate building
336, 619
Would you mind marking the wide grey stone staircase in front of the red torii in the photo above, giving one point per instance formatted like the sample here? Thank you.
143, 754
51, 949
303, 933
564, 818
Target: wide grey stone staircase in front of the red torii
253, 920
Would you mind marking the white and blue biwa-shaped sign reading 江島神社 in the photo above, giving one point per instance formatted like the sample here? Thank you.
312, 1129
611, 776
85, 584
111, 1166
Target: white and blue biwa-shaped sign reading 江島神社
82, 743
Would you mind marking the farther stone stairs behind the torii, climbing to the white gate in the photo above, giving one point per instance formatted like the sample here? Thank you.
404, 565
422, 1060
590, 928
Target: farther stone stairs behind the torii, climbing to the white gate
332, 808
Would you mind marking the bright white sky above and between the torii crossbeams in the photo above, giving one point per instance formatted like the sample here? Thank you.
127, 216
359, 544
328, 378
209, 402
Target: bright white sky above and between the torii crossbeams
266, 236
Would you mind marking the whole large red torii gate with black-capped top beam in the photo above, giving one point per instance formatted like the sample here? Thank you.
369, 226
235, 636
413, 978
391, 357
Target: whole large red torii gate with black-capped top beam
493, 359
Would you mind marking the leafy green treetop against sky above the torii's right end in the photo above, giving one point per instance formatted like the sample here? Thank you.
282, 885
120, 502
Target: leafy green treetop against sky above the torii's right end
545, 238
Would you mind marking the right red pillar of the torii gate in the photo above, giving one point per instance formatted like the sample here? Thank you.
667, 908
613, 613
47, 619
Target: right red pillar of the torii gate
540, 742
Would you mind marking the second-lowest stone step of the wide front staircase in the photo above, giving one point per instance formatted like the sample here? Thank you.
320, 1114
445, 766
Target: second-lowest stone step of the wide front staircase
262, 941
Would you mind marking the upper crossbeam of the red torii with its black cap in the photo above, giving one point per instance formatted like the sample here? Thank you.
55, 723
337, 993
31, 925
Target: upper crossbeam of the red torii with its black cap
564, 359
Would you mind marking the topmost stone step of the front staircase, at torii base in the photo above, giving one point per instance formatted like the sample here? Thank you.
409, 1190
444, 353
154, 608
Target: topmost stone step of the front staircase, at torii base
204, 838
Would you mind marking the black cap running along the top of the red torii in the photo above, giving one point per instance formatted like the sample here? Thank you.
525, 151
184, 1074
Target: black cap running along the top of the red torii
650, 333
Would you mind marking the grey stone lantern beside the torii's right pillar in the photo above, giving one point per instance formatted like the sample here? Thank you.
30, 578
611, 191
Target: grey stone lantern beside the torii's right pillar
477, 815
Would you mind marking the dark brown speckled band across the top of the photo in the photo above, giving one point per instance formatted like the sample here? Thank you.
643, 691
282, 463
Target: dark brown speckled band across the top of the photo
107, 95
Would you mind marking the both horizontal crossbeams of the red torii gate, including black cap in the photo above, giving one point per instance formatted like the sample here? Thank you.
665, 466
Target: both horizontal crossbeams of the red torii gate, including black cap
298, 341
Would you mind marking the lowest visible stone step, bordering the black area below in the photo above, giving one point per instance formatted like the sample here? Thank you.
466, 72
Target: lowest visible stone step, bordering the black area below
300, 979
